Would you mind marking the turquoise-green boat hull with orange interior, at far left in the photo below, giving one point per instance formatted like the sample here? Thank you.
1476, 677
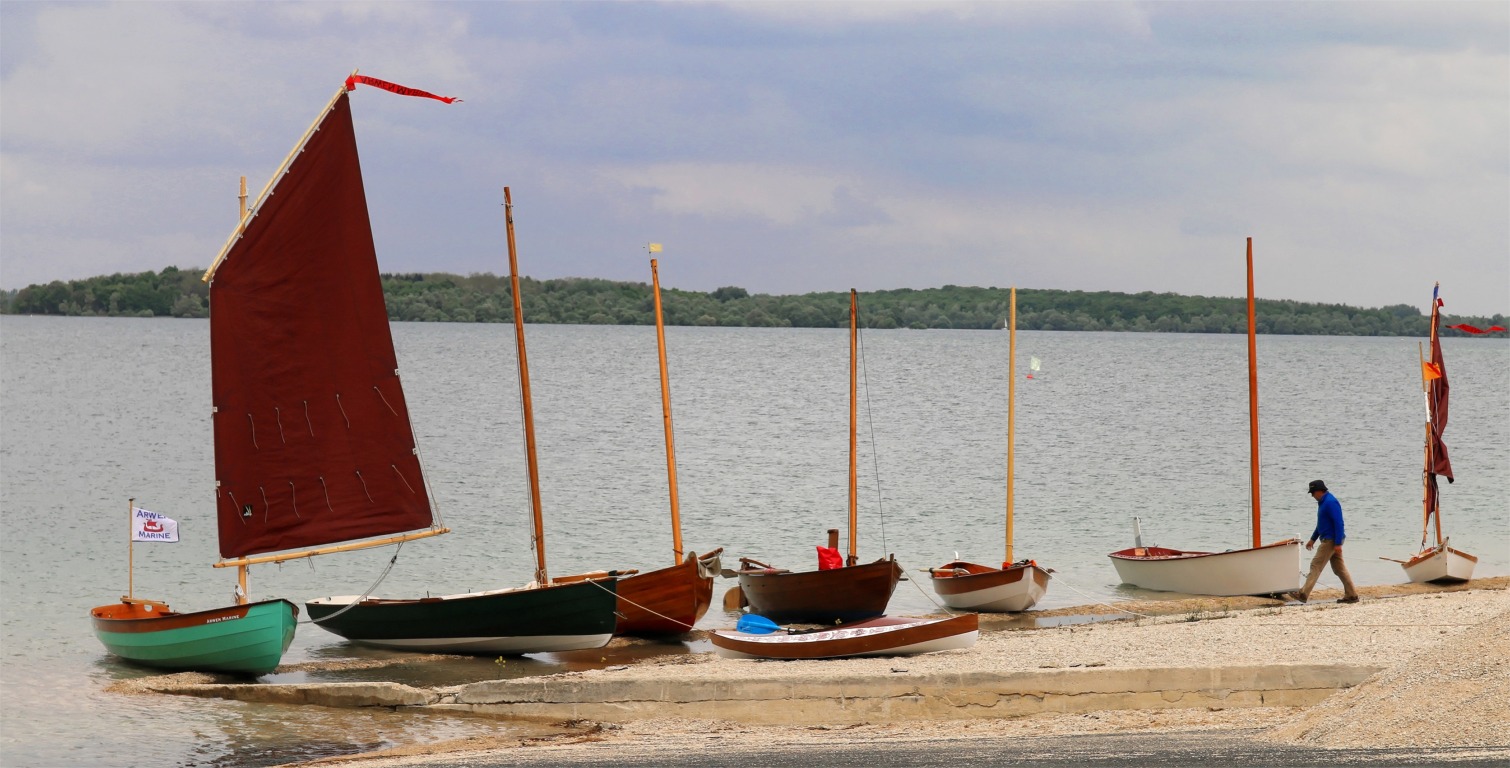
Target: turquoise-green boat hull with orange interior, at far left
241, 639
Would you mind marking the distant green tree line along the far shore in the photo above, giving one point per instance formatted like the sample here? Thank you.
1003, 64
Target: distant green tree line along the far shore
440, 298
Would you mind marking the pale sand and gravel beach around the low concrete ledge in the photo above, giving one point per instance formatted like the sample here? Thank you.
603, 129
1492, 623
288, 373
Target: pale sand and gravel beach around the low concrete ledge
1446, 648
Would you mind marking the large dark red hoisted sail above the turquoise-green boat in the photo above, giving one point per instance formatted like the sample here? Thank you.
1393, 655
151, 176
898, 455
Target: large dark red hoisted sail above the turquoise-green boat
312, 432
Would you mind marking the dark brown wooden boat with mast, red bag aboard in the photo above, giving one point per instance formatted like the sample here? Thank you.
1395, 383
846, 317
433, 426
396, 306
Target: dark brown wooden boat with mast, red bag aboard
845, 594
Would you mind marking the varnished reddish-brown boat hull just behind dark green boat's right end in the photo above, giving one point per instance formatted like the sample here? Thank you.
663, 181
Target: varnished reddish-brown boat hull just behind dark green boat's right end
668, 601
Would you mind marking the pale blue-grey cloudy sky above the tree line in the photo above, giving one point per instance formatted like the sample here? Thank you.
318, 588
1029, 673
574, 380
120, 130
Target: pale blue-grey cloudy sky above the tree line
794, 147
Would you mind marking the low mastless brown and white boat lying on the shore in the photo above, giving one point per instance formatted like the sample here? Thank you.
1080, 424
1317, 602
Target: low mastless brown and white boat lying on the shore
886, 636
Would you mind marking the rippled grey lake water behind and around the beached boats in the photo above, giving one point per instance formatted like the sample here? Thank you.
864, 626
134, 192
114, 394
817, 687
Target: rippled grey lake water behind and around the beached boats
96, 411
